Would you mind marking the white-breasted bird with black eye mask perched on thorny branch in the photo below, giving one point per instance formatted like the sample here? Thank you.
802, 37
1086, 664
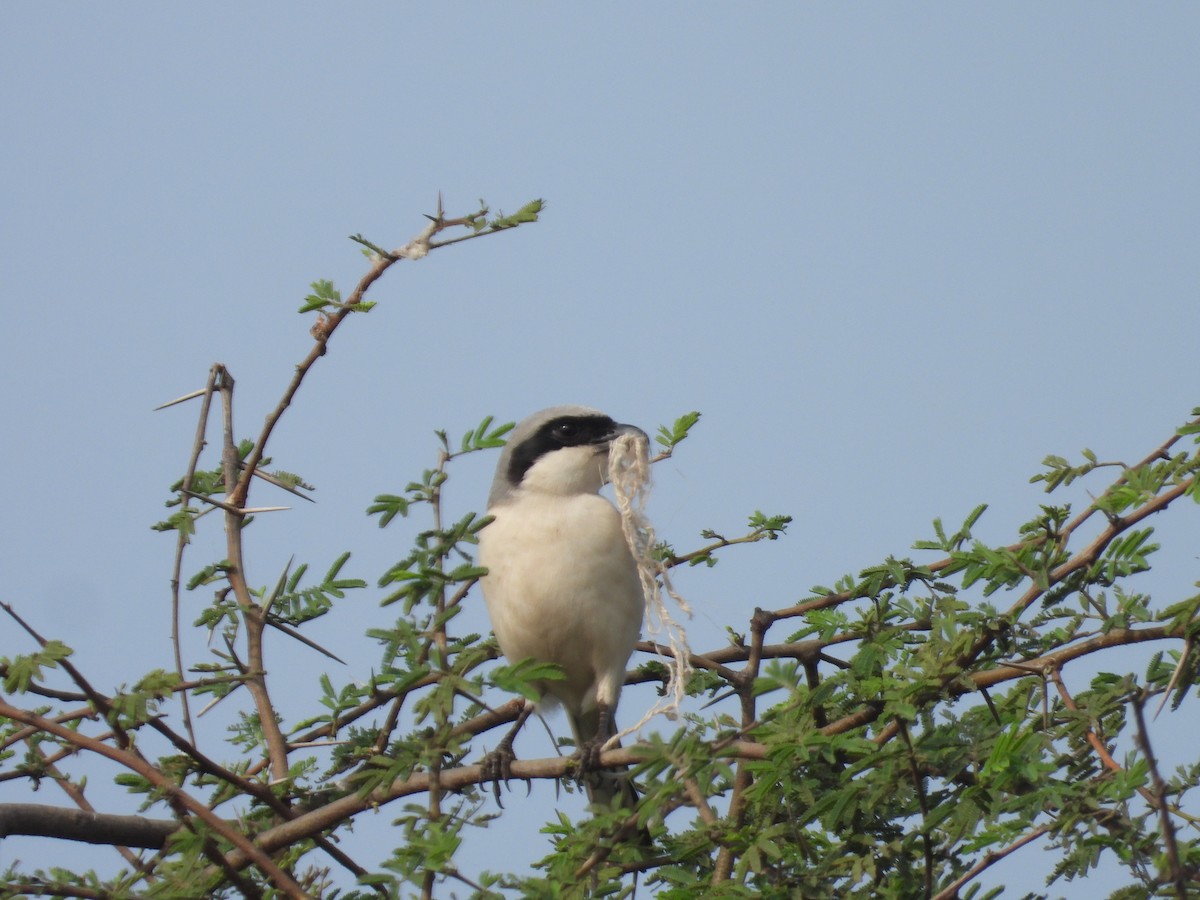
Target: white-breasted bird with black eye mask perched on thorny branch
562, 585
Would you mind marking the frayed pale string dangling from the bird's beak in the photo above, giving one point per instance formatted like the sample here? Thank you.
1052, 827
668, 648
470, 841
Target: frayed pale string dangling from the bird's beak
629, 471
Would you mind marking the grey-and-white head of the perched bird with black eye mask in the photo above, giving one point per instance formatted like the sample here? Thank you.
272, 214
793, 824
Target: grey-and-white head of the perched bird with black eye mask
562, 451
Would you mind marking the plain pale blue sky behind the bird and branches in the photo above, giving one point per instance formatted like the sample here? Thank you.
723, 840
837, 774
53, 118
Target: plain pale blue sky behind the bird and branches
896, 255
